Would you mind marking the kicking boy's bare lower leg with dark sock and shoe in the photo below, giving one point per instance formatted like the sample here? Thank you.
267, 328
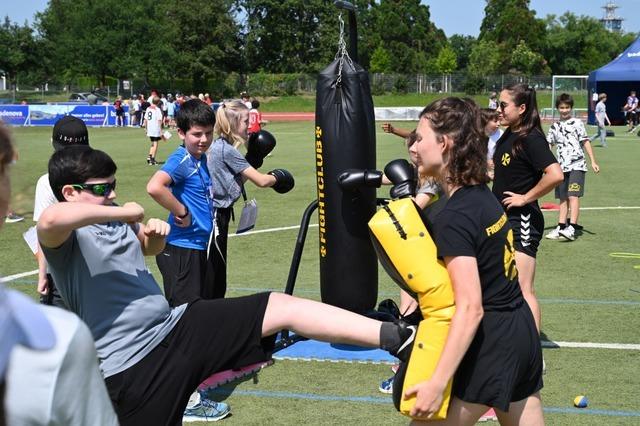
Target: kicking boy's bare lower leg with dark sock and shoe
328, 323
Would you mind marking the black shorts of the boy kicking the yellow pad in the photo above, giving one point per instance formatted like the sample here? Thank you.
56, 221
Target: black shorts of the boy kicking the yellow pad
211, 336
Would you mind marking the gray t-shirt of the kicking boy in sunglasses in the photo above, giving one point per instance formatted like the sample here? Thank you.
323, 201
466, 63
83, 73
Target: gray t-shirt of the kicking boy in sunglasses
101, 275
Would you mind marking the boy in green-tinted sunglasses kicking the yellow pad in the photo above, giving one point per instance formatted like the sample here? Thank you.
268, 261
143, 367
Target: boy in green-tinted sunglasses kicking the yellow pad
151, 355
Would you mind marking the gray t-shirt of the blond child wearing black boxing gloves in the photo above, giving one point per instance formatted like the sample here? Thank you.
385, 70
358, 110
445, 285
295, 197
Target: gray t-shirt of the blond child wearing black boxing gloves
226, 164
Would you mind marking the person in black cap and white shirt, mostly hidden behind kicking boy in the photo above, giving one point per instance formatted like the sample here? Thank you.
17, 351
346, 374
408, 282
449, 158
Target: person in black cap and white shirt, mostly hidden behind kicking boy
68, 131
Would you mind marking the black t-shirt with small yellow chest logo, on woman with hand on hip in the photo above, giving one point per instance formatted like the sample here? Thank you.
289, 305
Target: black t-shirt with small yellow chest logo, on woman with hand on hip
520, 172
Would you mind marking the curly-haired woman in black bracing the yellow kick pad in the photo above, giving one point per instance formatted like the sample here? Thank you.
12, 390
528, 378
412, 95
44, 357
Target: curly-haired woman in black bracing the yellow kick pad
492, 349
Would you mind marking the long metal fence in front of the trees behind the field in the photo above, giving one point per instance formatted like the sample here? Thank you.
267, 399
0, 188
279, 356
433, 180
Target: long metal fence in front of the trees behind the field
273, 85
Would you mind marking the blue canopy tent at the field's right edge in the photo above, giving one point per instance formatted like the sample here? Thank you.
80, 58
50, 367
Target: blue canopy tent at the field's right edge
616, 79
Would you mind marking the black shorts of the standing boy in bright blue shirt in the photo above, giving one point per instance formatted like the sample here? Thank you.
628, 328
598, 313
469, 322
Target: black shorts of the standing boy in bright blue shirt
187, 274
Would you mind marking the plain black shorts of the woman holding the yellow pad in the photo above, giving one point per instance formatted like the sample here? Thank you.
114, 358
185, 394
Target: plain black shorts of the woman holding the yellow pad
504, 362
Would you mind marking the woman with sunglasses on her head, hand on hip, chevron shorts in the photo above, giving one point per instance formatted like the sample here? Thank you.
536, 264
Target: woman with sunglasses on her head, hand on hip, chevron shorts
525, 170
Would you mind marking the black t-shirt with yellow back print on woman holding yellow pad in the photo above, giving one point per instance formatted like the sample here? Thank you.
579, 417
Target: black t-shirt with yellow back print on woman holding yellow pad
474, 224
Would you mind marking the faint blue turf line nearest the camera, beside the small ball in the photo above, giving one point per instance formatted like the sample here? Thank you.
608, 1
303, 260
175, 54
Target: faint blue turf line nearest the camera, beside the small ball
387, 400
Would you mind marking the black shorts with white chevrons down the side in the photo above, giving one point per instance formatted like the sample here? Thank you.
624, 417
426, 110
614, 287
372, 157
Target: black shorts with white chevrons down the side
527, 223
